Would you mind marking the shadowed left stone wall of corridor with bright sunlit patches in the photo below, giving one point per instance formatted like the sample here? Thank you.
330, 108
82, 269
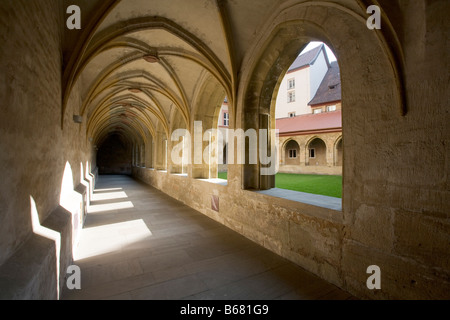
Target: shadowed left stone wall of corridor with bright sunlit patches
41, 163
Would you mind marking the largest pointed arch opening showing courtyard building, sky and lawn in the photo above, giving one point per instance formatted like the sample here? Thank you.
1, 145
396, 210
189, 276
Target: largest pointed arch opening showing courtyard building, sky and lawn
308, 116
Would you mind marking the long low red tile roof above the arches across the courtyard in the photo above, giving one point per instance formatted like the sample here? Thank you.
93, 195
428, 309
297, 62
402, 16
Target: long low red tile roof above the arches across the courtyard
310, 123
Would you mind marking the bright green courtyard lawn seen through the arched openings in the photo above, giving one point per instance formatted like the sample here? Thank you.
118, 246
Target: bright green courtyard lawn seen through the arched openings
310, 183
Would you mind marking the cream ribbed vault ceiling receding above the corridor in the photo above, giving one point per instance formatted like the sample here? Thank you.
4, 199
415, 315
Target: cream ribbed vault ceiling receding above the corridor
142, 65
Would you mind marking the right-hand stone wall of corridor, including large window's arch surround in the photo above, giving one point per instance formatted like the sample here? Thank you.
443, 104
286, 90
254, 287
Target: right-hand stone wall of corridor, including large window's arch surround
395, 167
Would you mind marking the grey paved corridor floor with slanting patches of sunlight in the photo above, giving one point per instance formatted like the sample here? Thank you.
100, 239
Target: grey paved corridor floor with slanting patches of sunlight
138, 243
